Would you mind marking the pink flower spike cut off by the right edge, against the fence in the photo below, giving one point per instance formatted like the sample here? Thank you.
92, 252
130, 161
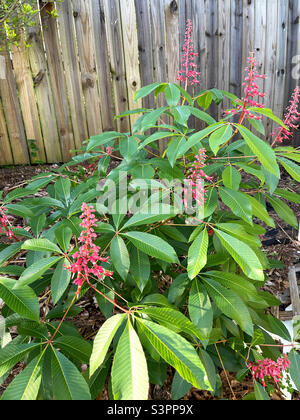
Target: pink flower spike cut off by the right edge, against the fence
291, 119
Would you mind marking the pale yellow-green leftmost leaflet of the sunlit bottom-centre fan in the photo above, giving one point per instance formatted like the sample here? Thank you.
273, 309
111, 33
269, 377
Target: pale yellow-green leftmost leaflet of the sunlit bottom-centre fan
103, 340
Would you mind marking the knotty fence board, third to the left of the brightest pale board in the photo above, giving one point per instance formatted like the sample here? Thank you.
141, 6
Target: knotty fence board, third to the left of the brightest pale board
86, 49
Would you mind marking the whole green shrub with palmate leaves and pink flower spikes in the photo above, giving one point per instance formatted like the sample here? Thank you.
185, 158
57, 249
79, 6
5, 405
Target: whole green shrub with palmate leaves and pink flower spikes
209, 313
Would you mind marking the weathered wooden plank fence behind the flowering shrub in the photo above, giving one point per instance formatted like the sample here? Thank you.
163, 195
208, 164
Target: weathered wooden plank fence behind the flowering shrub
84, 67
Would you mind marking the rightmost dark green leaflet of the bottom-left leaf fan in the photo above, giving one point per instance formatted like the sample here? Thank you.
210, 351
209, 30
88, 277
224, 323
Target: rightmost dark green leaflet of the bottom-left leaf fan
68, 383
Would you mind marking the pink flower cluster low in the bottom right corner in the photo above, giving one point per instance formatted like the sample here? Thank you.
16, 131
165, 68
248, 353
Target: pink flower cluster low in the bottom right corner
269, 368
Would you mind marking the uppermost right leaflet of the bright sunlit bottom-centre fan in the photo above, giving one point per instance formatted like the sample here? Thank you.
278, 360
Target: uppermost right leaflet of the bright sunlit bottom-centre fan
171, 317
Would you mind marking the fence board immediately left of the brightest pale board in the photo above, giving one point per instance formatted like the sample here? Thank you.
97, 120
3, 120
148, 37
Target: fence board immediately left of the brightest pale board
117, 64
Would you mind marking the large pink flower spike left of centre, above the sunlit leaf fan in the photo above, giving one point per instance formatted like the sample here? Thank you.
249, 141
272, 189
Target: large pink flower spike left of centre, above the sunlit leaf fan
87, 258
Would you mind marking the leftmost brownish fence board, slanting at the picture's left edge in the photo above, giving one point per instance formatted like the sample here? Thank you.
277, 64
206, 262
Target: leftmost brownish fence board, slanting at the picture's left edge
12, 113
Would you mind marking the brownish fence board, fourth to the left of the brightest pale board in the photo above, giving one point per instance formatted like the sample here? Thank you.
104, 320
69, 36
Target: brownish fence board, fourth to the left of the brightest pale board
72, 74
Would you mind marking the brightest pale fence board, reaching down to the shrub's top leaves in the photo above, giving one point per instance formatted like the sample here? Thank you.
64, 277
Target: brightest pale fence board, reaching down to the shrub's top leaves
131, 53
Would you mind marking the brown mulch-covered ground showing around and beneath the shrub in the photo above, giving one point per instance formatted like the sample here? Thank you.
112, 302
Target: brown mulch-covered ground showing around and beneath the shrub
280, 244
